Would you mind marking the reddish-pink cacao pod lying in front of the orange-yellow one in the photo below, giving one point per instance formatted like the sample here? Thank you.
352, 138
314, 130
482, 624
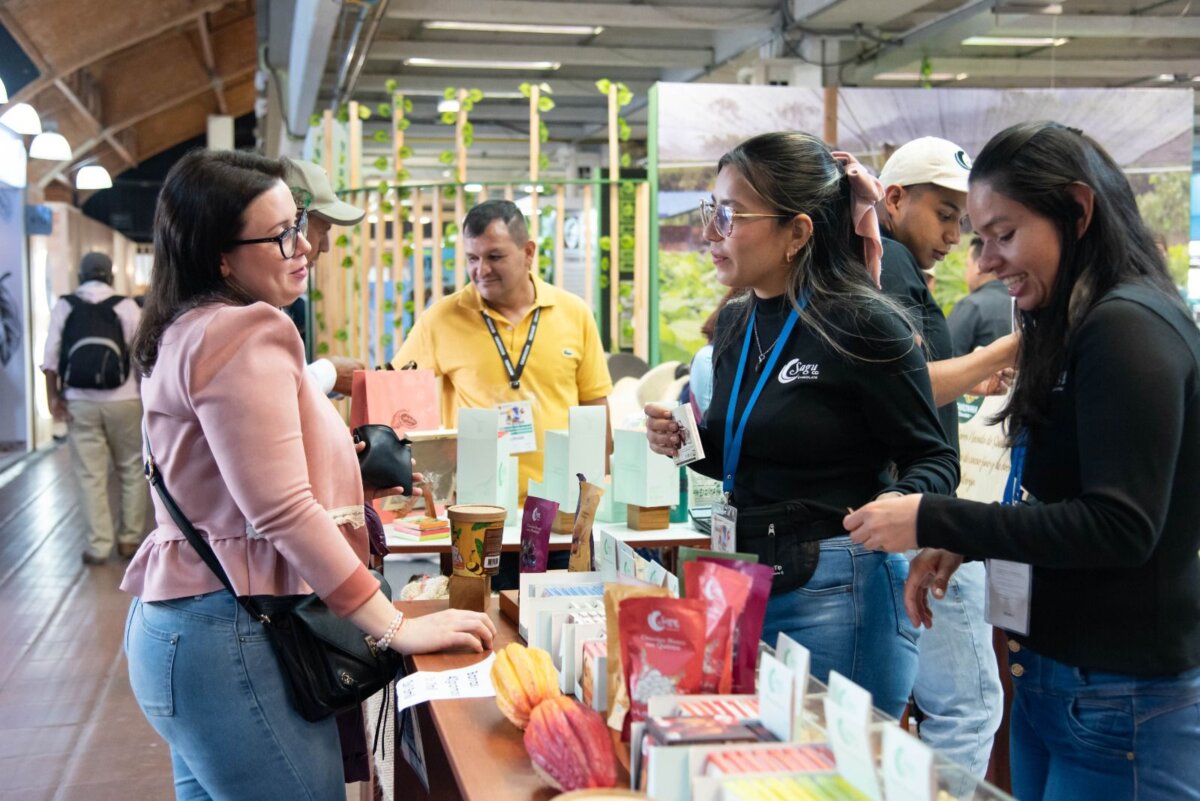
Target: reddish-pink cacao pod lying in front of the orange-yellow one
571, 746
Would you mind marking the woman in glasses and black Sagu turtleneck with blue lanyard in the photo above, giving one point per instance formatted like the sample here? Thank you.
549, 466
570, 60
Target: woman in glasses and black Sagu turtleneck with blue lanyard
820, 390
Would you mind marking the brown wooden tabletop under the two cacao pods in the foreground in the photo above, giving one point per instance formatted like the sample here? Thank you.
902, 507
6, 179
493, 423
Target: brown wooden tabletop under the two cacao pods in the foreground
472, 752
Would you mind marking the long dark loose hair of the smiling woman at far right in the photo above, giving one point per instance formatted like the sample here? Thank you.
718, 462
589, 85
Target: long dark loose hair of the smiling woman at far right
1035, 164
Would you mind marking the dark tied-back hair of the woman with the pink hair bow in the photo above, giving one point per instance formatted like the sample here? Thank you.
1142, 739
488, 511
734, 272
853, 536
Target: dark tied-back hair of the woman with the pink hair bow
796, 173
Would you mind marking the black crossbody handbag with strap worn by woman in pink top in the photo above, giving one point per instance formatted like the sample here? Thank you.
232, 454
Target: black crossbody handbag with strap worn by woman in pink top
331, 665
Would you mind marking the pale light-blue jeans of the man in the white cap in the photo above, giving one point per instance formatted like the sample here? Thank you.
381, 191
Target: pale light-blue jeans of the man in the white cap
958, 683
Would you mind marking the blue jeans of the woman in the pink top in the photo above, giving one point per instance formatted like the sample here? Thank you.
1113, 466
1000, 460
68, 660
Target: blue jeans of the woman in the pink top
211, 685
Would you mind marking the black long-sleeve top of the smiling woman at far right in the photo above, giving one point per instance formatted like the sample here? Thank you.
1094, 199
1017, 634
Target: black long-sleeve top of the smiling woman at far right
1115, 471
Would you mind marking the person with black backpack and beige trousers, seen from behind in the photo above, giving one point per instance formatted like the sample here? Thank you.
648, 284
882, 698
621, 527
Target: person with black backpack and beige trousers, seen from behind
89, 387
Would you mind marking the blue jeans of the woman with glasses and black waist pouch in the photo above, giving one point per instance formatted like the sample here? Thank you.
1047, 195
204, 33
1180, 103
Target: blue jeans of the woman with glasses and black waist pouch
851, 617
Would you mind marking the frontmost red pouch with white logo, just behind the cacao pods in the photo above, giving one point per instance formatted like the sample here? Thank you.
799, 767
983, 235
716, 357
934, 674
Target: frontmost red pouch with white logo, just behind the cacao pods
662, 643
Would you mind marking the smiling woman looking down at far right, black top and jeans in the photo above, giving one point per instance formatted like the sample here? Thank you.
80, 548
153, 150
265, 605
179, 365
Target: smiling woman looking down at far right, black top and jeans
1101, 523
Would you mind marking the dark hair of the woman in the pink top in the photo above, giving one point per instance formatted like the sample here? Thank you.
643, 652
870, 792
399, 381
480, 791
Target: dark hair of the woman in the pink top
201, 210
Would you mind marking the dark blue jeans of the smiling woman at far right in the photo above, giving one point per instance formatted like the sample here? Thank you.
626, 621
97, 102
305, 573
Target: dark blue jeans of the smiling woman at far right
1084, 734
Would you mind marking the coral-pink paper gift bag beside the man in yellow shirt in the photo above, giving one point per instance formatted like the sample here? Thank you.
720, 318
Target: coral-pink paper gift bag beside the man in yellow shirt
406, 400
